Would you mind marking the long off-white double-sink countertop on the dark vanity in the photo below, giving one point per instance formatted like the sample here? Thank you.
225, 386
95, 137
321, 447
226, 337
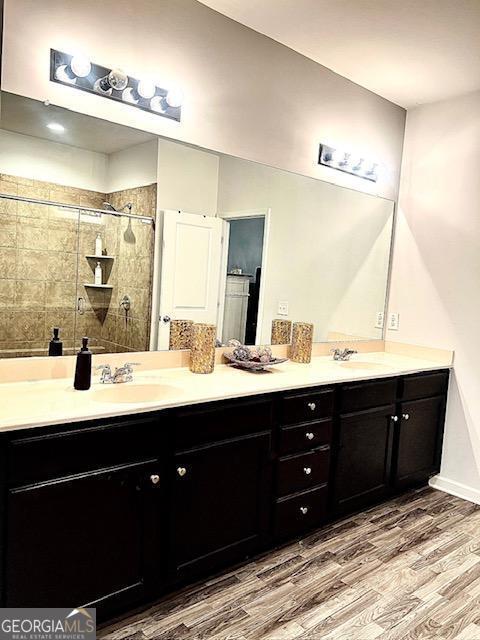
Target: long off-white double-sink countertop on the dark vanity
50, 402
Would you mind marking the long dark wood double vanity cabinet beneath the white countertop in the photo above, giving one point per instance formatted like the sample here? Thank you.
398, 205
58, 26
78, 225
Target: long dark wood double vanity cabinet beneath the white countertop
113, 512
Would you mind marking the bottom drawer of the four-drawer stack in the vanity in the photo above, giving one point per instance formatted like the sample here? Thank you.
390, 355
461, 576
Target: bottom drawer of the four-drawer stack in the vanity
299, 513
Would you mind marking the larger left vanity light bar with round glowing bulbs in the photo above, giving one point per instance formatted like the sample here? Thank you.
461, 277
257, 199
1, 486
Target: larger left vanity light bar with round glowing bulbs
78, 72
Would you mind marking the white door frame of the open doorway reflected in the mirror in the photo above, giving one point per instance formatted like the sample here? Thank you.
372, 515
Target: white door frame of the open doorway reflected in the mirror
235, 215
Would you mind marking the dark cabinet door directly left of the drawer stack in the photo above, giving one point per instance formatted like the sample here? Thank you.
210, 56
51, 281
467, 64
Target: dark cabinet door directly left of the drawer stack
220, 505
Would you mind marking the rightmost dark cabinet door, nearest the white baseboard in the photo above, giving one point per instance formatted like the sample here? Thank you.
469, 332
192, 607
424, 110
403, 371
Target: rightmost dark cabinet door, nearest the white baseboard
419, 440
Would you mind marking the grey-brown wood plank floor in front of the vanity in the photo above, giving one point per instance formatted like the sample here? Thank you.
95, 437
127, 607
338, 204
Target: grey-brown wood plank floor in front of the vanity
407, 569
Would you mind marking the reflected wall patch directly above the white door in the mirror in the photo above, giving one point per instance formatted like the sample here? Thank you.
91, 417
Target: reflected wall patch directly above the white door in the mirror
187, 179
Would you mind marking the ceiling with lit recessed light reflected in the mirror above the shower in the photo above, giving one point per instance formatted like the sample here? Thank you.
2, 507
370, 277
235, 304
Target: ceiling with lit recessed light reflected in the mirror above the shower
31, 118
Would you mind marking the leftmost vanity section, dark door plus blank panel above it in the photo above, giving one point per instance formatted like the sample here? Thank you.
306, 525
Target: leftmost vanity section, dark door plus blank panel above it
90, 537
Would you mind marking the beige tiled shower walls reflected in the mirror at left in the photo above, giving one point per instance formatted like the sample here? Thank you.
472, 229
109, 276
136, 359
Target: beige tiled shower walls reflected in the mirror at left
39, 249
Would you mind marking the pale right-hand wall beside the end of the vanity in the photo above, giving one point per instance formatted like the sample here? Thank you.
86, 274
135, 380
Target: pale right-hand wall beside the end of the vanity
436, 267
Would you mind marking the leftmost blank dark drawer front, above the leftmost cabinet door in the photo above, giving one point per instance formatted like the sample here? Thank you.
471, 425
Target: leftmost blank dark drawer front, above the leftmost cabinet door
63, 453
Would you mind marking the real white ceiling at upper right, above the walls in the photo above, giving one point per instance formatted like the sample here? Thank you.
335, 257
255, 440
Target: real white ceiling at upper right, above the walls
408, 51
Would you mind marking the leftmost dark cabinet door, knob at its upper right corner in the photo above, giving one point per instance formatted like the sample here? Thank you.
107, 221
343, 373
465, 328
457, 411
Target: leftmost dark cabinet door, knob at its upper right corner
84, 540
